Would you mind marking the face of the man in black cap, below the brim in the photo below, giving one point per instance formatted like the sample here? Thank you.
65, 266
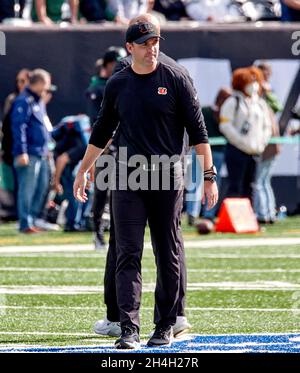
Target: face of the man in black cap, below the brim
144, 54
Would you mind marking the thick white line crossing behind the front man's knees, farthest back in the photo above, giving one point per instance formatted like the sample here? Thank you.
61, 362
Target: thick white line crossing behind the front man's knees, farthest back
224, 242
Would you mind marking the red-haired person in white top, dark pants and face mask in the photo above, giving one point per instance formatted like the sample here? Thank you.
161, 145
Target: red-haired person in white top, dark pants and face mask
246, 123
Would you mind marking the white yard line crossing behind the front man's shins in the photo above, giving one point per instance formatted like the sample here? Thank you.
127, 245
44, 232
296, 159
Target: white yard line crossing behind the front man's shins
150, 287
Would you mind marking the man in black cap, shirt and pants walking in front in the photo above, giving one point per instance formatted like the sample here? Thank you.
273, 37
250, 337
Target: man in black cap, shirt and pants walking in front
149, 102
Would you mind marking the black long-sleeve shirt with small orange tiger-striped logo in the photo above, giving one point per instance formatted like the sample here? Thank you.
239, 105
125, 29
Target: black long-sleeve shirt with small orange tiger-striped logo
151, 111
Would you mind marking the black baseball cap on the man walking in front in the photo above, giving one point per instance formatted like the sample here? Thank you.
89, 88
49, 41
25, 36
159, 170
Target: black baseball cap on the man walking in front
141, 32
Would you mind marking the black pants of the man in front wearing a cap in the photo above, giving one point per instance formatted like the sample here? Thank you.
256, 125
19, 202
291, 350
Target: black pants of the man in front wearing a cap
131, 210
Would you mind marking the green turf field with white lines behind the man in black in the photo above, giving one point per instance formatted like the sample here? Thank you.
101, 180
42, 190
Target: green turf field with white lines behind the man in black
55, 298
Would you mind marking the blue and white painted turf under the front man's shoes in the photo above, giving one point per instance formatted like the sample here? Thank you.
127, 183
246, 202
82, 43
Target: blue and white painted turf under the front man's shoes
289, 343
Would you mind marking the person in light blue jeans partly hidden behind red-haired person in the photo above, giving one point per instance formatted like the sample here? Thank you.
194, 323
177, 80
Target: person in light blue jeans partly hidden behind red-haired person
264, 199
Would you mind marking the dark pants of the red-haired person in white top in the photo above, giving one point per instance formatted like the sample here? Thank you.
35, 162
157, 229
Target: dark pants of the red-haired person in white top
241, 172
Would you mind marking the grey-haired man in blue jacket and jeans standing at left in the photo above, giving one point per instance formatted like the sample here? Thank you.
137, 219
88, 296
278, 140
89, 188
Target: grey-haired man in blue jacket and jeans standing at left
30, 146
